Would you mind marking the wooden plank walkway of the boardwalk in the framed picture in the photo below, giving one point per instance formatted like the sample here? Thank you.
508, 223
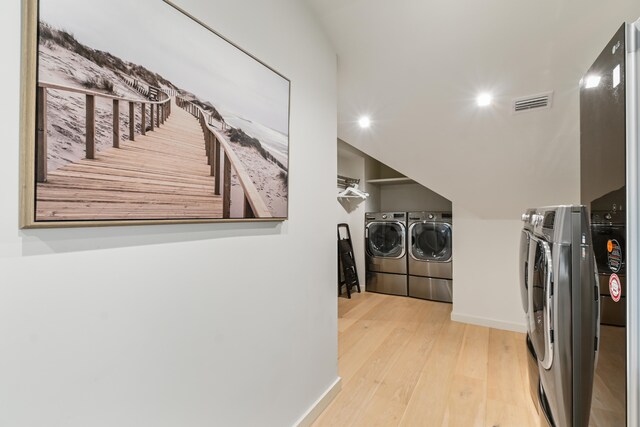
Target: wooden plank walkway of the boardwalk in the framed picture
163, 175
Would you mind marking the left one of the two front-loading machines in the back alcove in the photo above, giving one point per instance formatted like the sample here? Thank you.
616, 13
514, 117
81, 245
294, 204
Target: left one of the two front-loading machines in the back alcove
386, 250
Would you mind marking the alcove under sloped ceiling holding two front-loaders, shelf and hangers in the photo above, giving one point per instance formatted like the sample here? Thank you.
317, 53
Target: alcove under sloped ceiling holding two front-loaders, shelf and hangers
400, 230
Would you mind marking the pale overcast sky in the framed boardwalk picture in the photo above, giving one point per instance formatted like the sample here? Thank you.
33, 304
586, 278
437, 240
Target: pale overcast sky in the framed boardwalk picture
155, 35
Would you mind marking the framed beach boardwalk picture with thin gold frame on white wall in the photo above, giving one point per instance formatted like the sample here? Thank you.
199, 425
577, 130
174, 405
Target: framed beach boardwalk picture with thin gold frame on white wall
135, 112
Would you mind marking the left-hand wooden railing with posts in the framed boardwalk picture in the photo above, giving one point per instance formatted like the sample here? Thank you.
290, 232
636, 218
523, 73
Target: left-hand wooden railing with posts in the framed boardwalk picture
159, 111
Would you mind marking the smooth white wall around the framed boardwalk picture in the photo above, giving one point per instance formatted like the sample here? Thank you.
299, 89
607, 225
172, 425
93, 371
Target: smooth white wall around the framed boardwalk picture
219, 324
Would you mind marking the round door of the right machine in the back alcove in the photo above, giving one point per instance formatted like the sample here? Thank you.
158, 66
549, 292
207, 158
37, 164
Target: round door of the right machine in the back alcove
431, 241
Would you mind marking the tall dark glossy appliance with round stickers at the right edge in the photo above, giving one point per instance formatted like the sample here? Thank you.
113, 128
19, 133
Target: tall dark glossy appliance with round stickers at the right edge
603, 190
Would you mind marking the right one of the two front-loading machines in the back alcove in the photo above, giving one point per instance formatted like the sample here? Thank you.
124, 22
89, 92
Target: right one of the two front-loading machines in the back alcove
430, 253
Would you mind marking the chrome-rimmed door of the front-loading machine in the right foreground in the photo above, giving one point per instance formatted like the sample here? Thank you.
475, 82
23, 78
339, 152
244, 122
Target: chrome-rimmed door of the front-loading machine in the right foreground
540, 310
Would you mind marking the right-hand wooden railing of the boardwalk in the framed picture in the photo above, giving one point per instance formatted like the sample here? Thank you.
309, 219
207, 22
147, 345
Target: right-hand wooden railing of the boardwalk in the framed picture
219, 152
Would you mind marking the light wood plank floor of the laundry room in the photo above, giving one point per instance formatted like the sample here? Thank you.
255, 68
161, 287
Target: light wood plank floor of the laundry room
404, 362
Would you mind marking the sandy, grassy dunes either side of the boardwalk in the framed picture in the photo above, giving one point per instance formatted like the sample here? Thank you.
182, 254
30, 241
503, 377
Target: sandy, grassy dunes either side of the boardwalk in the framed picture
65, 61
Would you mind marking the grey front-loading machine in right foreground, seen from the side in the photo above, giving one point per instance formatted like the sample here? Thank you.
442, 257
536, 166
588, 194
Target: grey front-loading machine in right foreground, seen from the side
560, 297
